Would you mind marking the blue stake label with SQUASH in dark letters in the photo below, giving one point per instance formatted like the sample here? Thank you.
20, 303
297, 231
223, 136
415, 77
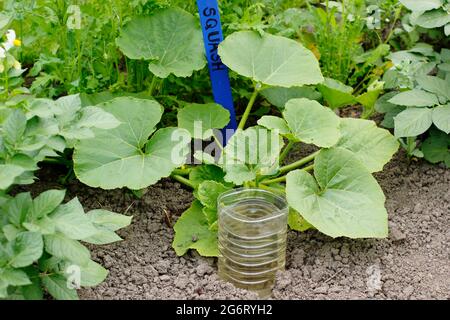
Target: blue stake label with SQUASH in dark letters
220, 81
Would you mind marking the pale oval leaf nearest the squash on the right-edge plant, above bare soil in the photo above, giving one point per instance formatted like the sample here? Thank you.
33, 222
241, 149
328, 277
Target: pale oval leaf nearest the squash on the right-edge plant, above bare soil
413, 121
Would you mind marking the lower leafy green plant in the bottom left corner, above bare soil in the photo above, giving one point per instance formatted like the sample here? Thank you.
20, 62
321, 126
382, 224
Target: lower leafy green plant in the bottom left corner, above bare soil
40, 249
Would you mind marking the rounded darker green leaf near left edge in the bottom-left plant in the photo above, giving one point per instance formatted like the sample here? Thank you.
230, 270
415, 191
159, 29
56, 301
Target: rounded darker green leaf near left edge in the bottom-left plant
25, 249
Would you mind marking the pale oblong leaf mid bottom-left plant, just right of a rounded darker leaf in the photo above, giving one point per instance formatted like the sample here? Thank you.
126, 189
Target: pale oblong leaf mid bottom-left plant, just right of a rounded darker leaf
62, 247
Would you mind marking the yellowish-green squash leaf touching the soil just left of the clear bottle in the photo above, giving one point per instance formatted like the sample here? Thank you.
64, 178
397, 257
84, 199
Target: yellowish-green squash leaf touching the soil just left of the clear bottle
192, 232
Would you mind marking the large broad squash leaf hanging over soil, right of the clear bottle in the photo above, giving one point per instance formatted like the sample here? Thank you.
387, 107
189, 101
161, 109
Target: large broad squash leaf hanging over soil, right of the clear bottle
342, 200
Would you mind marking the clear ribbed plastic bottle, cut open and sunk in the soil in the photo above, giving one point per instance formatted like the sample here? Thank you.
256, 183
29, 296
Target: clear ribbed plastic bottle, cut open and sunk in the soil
252, 238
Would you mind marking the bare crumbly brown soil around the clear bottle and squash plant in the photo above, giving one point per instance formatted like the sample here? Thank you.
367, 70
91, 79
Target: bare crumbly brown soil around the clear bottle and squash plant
413, 263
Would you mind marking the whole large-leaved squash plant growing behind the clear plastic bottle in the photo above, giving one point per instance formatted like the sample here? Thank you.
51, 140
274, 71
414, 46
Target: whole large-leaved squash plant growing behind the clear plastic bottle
340, 198
